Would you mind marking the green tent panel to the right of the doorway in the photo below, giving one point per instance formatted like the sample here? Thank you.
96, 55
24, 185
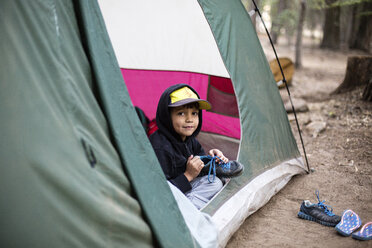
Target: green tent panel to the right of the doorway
267, 138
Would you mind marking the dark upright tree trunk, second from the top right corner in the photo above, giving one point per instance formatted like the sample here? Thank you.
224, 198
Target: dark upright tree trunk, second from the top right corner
331, 28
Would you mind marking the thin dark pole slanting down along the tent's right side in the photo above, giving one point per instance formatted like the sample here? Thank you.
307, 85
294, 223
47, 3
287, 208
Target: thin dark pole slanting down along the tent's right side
286, 85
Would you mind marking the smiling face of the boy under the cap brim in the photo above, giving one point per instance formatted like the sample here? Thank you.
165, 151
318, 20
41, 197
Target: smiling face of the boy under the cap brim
185, 120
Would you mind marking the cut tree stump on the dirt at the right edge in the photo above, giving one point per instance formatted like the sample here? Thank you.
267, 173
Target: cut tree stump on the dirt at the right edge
358, 72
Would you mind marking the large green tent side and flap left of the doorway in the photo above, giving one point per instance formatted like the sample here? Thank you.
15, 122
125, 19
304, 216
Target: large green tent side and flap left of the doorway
76, 168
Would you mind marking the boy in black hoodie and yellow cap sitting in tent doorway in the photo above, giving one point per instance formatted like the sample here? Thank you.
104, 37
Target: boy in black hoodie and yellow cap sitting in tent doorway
179, 120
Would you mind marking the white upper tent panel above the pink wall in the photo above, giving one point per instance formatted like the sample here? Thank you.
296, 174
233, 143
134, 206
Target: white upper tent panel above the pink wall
162, 35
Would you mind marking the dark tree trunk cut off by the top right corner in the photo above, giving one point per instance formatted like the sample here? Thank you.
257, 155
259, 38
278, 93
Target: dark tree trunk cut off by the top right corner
363, 27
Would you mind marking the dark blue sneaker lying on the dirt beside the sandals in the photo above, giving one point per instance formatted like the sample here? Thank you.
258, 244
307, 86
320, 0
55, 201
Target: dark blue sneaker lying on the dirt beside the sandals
318, 212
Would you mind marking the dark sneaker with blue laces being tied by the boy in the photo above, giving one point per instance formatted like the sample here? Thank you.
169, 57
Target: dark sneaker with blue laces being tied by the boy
221, 169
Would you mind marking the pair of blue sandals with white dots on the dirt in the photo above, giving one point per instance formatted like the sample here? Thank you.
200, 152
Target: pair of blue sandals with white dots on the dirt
350, 222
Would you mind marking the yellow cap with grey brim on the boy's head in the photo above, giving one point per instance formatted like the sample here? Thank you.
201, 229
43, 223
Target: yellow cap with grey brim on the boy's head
184, 96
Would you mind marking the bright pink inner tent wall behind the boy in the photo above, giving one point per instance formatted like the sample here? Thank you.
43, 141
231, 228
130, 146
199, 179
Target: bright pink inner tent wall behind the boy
146, 86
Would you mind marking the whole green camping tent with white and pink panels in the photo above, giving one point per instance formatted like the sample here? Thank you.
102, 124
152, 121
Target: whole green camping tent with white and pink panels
77, 167
